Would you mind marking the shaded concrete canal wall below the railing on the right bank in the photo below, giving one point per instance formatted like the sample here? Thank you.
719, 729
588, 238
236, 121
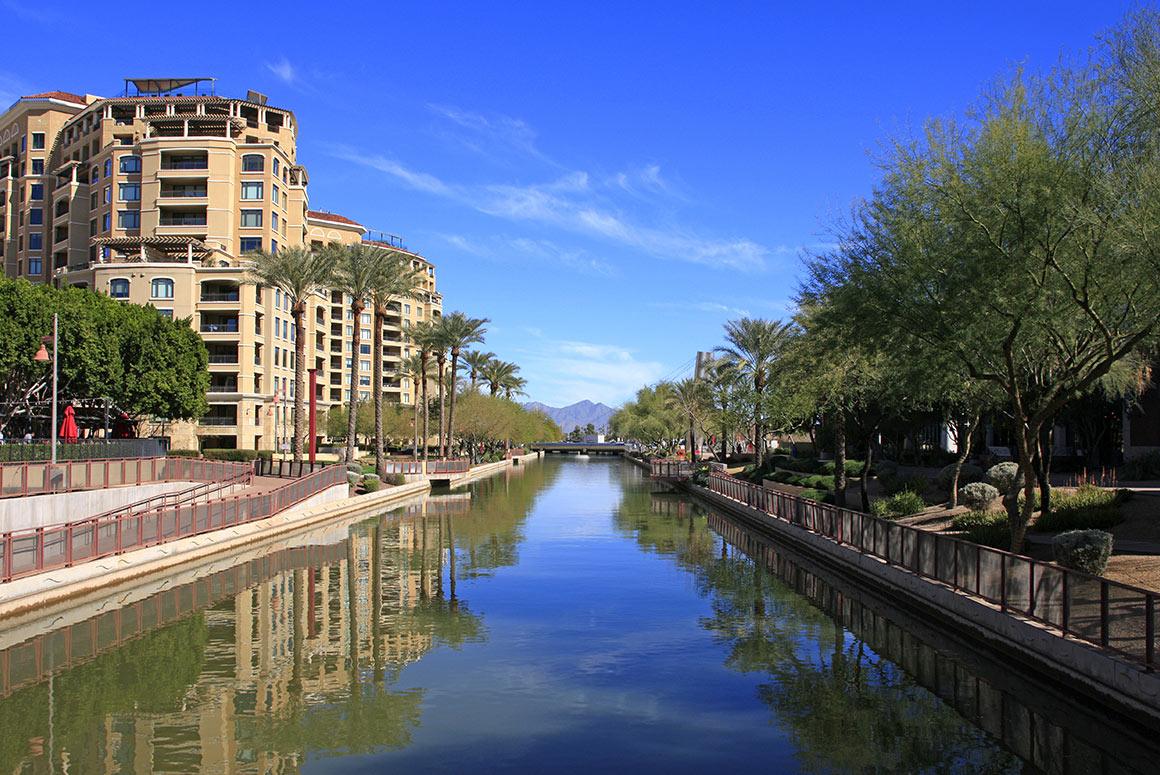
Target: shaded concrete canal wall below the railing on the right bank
1118, 684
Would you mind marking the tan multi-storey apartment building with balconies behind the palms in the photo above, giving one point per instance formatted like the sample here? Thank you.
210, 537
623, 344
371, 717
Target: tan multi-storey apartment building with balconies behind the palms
155, 199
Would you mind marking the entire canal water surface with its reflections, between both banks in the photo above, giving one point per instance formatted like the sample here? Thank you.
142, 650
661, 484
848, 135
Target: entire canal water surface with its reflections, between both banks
569, 617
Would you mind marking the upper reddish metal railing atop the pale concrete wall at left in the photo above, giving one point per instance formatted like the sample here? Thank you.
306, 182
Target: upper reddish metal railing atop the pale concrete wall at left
20, 480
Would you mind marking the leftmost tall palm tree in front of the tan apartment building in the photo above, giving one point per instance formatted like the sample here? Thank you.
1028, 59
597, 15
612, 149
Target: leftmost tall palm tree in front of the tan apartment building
299, 274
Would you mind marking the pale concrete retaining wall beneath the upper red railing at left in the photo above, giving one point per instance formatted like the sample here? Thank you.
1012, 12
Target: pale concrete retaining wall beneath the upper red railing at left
42, 511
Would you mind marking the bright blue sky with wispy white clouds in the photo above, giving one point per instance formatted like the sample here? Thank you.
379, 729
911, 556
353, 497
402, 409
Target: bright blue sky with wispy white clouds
608, 183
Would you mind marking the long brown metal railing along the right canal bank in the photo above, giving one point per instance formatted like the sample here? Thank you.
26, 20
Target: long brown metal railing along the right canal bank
1116, 617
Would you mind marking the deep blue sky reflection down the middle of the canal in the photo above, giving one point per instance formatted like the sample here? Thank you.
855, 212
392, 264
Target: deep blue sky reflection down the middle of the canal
594, 660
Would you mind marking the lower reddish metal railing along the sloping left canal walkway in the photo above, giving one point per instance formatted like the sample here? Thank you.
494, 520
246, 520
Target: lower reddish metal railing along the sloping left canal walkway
37, 551
